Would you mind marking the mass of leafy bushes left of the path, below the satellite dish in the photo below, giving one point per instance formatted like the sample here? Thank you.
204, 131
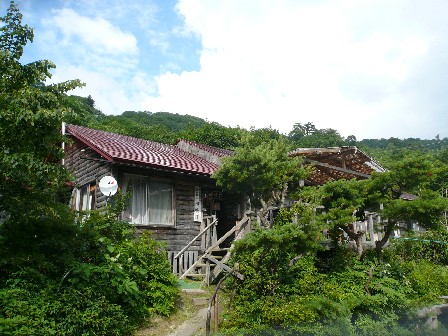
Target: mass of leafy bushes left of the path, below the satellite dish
93, 276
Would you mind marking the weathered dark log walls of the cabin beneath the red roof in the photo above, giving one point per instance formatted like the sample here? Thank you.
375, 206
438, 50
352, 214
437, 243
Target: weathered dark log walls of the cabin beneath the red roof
88, 166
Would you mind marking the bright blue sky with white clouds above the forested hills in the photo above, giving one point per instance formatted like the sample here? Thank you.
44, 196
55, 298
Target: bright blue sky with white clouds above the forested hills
370, 68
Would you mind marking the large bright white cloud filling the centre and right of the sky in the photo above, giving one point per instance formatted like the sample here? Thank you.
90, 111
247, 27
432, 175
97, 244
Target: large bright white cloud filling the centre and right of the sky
277, 63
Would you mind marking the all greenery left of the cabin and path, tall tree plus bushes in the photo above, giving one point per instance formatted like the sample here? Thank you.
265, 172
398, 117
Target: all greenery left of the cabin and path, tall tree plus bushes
62, 273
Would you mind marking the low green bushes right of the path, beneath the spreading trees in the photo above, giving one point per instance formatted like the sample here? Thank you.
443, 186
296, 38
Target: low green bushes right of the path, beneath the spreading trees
291, 288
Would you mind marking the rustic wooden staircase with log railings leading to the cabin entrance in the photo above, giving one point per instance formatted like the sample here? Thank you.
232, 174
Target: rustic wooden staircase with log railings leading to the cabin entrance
213, 260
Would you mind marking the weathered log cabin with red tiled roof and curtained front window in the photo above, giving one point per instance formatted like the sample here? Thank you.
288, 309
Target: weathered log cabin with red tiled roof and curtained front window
171, 190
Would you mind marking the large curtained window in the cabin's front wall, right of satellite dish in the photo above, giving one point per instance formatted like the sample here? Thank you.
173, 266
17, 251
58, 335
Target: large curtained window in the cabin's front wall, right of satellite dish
151, 201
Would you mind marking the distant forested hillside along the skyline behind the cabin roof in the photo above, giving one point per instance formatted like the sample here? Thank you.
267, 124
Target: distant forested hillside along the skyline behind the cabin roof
167, 127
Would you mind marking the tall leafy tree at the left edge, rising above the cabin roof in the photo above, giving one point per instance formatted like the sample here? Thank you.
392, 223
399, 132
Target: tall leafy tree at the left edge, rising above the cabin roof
31, 113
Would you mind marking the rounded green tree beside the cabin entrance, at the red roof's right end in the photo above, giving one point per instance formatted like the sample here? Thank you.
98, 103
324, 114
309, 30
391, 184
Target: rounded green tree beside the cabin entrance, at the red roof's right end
264, 172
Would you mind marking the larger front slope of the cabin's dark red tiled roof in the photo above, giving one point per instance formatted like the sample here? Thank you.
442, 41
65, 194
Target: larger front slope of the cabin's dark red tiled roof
121, 148
